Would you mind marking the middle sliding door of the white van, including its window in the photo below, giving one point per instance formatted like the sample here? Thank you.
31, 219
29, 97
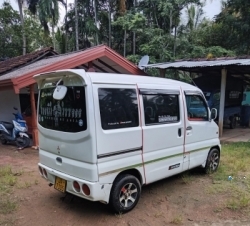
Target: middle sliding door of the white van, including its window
163, 130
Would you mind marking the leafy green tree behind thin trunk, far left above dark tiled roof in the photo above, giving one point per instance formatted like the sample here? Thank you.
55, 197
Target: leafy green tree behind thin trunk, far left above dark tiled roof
11, 33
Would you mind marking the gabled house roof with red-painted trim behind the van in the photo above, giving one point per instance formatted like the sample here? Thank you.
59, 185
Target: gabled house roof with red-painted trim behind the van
102, 58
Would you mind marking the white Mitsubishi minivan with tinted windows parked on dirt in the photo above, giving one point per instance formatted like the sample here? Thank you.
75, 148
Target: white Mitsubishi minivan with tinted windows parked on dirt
103, 136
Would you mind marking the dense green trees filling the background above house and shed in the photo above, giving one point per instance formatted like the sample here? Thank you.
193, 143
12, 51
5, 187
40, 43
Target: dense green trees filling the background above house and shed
165, 29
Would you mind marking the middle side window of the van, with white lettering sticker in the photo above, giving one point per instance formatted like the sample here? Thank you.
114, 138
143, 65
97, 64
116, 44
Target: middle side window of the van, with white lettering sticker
161, 108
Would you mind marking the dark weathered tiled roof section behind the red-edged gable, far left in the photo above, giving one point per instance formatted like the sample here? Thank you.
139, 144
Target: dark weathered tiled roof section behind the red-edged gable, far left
20, 61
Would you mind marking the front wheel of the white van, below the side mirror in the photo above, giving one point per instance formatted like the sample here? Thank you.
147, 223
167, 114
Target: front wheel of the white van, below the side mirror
213, 161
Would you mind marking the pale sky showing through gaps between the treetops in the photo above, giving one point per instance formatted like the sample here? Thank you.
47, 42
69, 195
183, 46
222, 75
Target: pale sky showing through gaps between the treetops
212, 7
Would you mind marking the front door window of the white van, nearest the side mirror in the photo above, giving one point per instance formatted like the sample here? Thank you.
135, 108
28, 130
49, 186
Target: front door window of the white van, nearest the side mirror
196, 108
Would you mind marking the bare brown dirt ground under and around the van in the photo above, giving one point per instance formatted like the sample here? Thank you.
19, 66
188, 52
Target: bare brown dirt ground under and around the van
181, 199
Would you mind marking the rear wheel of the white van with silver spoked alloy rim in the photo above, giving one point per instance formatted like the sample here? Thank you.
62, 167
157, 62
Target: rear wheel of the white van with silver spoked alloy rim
125, 193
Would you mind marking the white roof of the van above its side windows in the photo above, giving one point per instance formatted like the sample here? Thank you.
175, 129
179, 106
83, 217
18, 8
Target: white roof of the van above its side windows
133, 79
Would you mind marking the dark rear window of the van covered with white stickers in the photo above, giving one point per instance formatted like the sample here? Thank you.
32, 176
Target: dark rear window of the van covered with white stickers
68, 114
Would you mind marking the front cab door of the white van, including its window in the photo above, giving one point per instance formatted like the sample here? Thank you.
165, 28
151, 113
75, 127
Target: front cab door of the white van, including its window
201, 133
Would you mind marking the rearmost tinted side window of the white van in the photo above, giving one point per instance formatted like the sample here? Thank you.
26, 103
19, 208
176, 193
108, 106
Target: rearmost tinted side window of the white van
118, 108
